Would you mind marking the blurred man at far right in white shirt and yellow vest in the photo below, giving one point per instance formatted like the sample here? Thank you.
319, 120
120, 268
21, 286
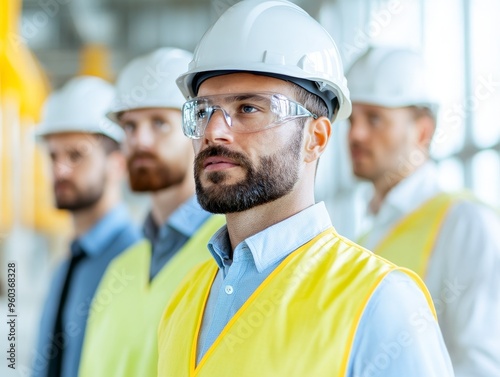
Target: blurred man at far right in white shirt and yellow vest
450, 240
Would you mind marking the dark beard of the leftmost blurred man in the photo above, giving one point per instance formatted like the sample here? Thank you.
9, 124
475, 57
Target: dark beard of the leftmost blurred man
81, 199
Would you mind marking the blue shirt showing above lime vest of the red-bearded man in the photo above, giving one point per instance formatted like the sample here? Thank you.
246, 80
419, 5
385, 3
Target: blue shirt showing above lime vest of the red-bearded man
168, 239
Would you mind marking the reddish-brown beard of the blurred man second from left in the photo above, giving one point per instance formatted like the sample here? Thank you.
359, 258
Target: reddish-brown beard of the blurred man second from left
157, 177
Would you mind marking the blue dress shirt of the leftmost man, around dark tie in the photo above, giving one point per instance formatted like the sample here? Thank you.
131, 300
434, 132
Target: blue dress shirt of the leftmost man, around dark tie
110, 236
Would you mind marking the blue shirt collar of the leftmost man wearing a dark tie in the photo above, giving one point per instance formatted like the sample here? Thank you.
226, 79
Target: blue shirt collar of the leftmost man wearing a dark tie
95, 241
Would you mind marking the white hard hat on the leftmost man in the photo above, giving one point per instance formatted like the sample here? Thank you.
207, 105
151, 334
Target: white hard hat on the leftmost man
80, 106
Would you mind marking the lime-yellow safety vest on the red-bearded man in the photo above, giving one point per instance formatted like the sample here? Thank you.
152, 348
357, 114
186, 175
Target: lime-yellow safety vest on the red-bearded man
121, 337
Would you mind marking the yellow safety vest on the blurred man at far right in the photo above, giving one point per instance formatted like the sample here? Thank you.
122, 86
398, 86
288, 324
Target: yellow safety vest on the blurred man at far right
410, 243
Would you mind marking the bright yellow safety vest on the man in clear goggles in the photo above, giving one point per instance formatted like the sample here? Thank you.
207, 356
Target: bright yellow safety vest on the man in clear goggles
301, 321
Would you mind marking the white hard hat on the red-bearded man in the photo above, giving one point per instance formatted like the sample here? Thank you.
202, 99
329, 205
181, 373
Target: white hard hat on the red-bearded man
149, 81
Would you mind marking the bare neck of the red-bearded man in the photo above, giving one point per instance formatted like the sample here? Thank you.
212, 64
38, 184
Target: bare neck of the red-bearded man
166, 201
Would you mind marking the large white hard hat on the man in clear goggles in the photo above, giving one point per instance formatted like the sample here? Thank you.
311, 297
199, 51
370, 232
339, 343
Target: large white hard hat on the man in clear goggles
274, 38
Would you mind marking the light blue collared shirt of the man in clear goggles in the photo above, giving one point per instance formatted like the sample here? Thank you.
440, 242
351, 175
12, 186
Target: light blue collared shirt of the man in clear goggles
397, 335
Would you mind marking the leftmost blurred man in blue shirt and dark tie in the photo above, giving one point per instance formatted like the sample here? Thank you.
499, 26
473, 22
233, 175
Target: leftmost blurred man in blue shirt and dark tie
88, 170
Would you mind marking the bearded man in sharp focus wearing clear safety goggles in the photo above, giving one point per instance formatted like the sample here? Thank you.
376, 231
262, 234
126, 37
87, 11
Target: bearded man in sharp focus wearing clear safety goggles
284, 294
